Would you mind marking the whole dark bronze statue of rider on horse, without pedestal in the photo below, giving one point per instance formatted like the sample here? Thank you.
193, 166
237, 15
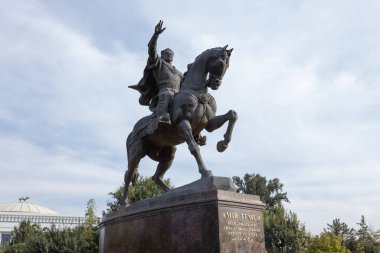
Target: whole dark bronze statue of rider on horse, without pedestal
191, 109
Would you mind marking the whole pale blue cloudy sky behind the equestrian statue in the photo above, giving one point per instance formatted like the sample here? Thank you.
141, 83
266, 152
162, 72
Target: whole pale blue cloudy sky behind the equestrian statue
303, 78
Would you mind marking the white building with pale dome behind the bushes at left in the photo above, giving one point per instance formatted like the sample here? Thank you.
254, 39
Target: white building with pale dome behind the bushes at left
12, 214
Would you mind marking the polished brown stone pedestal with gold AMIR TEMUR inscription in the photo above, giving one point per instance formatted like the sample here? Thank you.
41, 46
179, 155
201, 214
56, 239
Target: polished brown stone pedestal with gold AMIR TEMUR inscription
206, 216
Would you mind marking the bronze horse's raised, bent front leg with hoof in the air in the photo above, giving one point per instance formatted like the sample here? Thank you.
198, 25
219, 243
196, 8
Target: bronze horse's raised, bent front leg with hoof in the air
217, 122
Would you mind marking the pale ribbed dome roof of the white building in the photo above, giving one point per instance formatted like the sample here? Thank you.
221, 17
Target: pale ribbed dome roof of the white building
26, 208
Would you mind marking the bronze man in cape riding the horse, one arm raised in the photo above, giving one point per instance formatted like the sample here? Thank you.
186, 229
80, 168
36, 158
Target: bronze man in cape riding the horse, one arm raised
160, 79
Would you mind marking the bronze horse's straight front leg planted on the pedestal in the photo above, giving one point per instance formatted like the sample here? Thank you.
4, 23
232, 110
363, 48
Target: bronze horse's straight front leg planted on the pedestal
186, 133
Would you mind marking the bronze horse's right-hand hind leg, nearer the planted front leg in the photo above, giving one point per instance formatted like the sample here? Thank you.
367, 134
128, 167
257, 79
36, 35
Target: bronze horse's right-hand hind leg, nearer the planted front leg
165, 159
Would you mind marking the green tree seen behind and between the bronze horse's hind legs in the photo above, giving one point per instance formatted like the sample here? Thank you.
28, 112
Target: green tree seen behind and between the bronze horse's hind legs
145, 188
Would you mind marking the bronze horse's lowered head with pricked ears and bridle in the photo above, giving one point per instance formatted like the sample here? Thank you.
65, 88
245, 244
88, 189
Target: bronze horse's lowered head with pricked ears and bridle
217, 65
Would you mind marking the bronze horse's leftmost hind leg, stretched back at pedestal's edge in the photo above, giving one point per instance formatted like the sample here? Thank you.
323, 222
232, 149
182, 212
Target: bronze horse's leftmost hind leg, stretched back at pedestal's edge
135, 153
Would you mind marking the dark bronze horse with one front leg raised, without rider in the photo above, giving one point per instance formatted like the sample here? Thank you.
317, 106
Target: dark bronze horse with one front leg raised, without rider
192, 110
